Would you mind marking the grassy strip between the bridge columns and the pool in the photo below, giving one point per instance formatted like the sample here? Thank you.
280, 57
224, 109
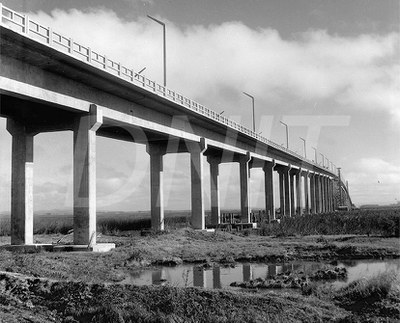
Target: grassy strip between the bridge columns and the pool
188, 246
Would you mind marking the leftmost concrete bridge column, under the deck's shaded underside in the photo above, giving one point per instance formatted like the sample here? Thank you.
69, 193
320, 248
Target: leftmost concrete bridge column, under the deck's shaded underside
21, 184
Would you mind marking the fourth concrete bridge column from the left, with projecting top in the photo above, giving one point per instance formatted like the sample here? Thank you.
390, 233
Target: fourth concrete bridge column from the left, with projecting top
196, 170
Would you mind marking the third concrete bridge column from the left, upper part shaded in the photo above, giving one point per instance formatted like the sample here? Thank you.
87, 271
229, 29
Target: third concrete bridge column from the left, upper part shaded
156, 153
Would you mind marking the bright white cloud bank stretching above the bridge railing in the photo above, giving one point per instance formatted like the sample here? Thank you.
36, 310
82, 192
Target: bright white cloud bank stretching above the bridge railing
356, 72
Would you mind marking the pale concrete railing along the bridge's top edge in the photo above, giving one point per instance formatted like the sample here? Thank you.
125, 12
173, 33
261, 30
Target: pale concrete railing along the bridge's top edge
24, 25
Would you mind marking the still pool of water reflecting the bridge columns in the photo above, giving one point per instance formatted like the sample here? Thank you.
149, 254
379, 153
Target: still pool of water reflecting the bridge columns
221, 277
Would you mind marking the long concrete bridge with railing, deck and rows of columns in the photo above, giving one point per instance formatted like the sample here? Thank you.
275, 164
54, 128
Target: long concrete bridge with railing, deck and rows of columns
50, 83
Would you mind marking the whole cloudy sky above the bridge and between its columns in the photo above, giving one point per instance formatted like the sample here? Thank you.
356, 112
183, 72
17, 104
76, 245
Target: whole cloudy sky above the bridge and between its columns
330, 69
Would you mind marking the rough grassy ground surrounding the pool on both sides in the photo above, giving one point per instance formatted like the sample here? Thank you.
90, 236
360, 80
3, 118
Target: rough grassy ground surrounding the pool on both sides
80, 286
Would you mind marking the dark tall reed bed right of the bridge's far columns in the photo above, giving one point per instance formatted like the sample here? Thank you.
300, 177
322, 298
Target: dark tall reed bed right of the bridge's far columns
369, 222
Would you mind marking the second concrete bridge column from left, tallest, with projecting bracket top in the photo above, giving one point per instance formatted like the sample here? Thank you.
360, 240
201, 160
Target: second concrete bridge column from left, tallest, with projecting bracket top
84, 174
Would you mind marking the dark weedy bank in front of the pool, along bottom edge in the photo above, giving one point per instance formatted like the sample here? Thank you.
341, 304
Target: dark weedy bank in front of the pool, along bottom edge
39, 300
